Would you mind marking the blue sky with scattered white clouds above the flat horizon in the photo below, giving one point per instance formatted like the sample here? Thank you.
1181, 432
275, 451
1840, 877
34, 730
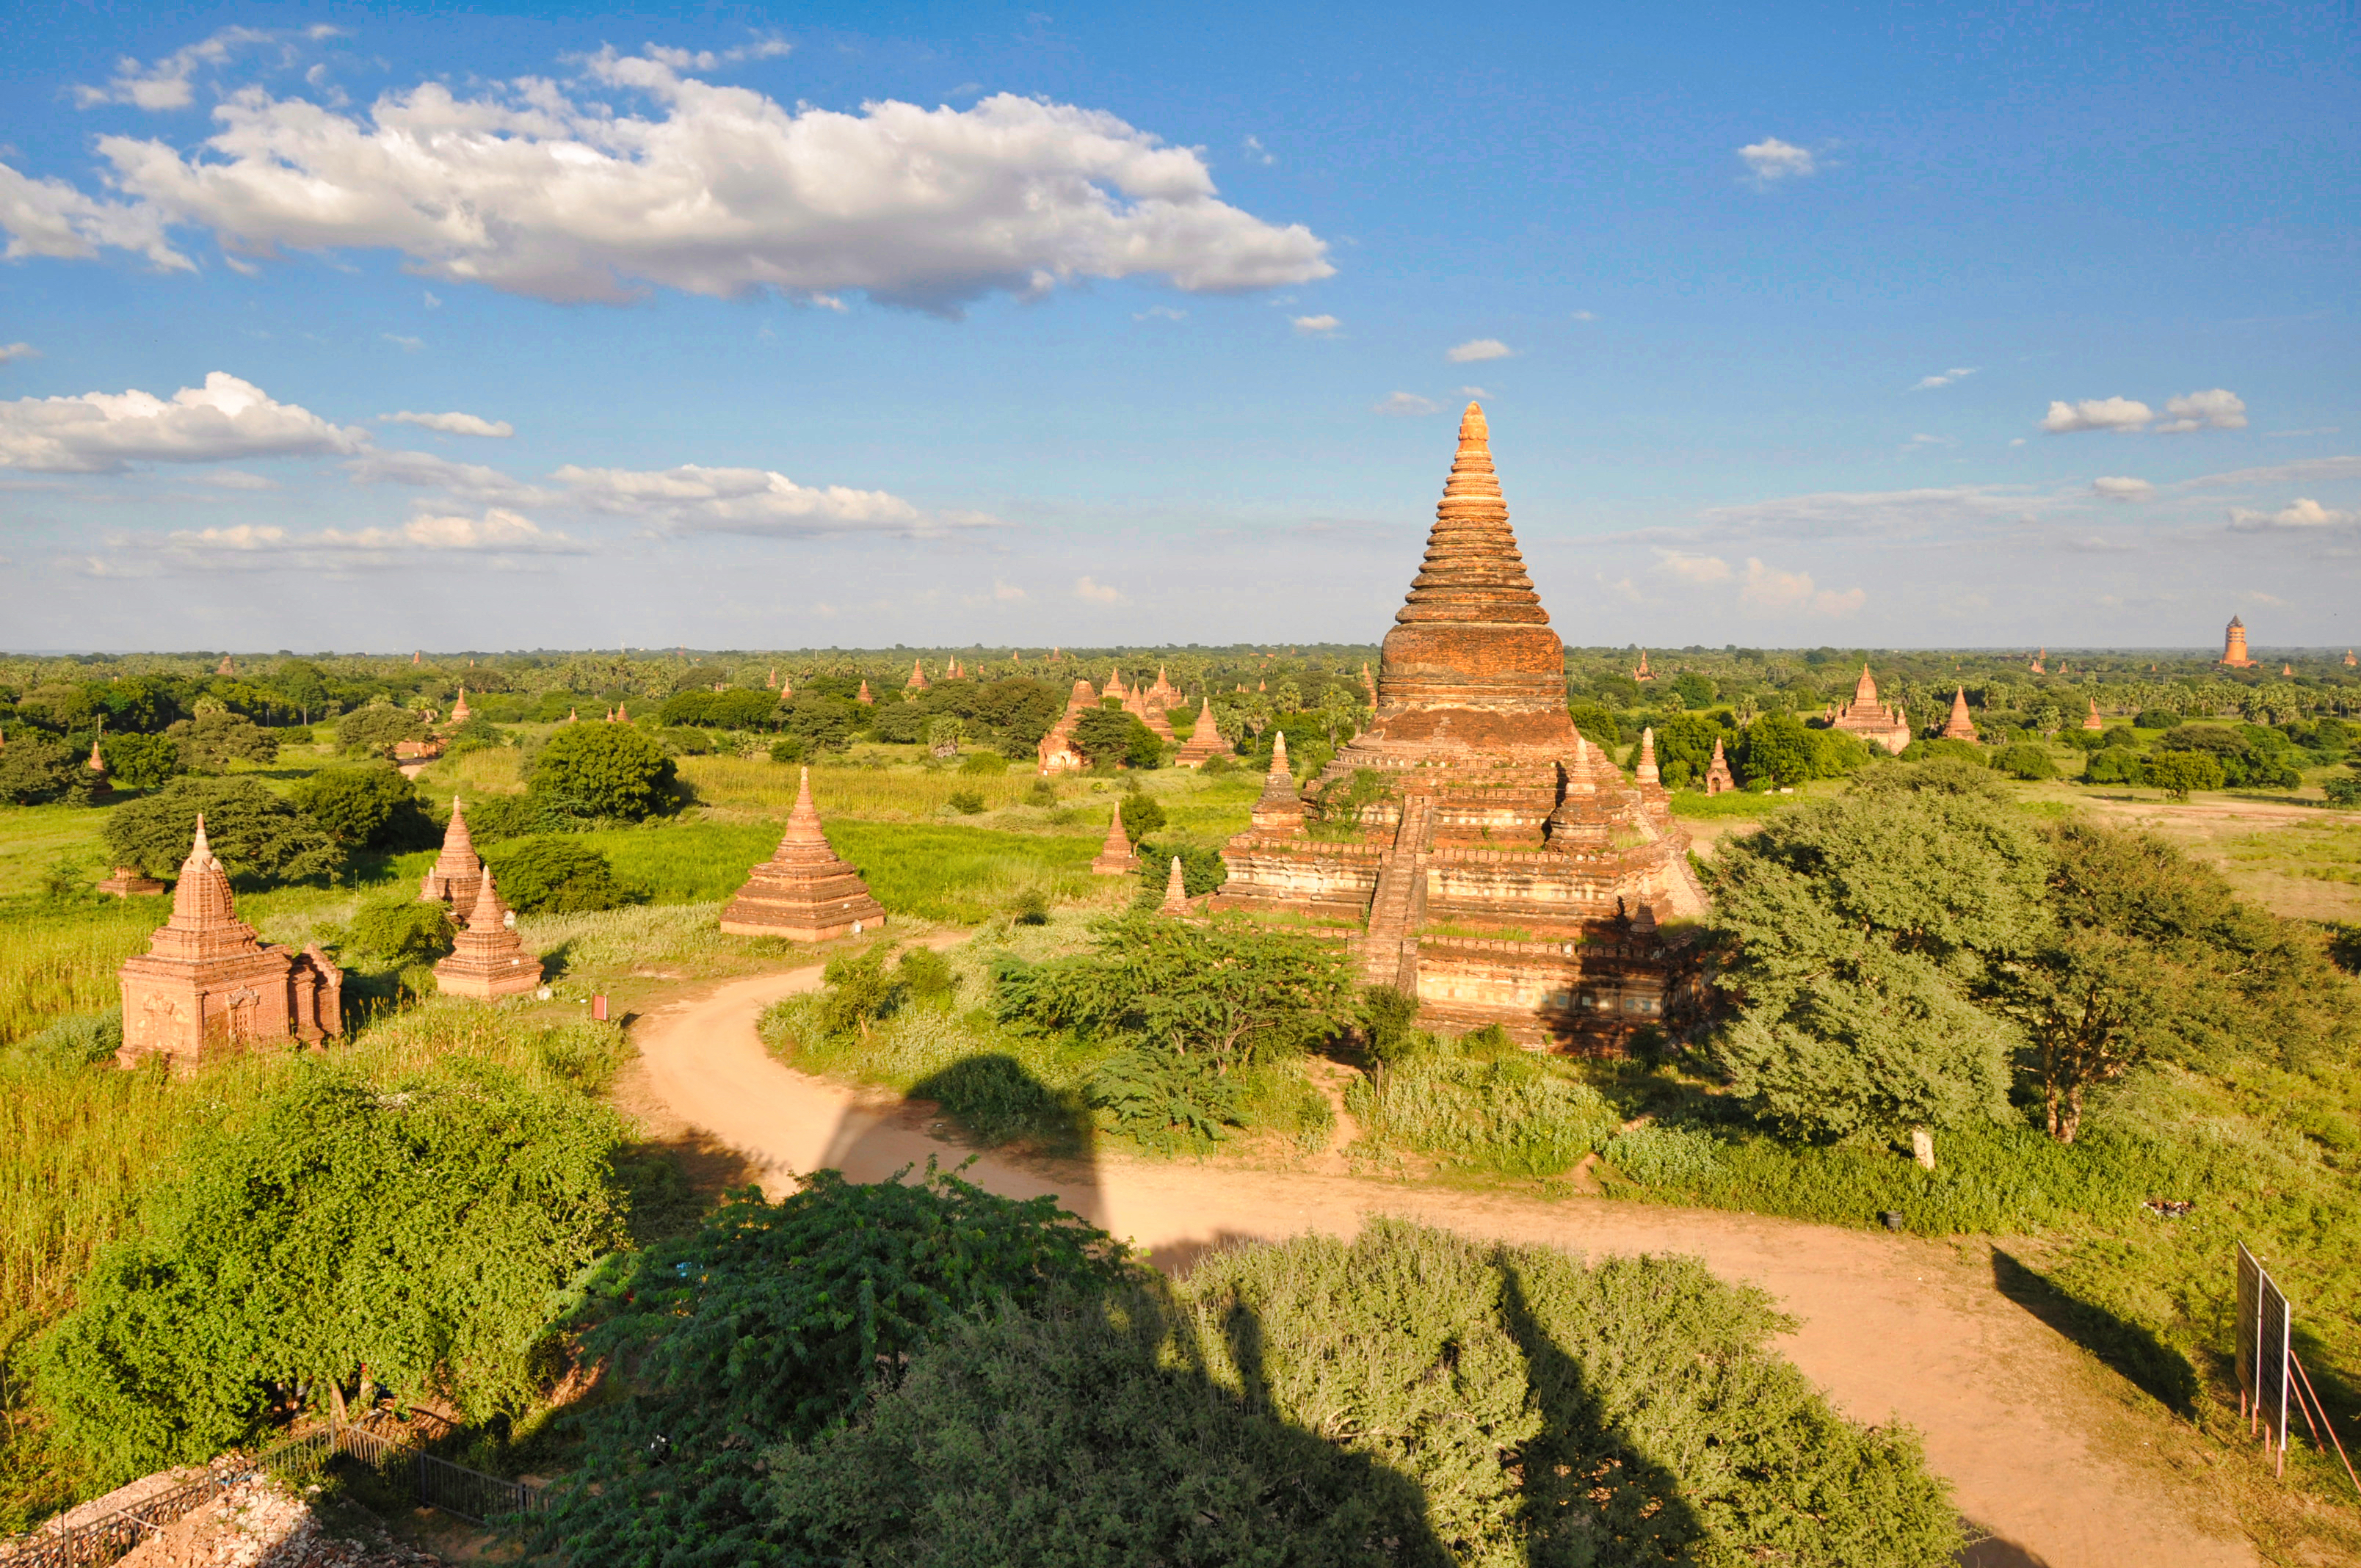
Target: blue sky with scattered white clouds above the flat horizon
1149, 325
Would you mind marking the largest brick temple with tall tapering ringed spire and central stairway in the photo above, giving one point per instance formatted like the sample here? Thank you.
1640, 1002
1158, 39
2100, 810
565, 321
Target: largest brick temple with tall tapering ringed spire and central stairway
1472, 844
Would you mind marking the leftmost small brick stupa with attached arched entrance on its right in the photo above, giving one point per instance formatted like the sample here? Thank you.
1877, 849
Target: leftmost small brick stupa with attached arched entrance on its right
211, 986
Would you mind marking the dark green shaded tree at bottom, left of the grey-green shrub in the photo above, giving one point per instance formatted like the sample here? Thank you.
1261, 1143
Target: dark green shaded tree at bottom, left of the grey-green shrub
773, 1326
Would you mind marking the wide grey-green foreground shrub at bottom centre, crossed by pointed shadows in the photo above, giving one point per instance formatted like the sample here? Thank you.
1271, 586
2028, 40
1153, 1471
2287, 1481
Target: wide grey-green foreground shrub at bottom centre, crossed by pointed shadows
1404, 1399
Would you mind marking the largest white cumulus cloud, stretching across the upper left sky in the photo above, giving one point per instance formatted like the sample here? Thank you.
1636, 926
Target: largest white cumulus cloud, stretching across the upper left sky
717, 192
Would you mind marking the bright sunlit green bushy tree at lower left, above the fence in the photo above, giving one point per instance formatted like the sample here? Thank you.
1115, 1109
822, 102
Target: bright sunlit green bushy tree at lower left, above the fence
341, 1236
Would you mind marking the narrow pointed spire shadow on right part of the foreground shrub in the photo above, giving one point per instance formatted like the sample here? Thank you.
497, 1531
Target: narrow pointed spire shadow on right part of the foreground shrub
1581, 1475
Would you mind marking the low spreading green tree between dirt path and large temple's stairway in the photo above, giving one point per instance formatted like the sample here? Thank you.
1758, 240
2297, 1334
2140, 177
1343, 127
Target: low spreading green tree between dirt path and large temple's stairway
1227, 991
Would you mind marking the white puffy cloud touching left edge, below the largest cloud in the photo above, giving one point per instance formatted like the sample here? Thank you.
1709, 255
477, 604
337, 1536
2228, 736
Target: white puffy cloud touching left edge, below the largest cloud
107, 431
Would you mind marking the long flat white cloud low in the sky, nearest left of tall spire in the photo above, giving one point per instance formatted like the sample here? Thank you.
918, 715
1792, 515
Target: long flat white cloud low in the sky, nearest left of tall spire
750, 502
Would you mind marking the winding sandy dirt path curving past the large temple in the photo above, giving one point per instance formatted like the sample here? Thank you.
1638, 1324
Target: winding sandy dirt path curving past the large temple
1892, 1326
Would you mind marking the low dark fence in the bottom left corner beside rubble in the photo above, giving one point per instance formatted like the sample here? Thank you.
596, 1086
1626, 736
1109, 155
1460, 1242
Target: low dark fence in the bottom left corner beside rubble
454, 1489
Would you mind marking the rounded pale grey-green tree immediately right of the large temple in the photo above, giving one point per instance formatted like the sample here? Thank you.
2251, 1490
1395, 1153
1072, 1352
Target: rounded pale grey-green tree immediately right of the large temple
1859, 936
